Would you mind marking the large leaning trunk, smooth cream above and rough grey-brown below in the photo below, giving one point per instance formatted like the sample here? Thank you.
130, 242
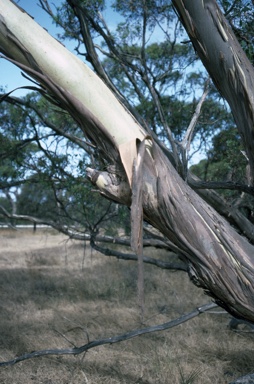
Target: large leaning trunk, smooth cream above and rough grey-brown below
219, 259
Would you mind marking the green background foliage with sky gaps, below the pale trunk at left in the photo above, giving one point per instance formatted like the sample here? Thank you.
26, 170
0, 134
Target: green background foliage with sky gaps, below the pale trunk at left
50, 169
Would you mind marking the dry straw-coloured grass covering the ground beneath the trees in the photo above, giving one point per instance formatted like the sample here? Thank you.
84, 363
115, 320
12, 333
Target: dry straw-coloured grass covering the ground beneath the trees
49, 288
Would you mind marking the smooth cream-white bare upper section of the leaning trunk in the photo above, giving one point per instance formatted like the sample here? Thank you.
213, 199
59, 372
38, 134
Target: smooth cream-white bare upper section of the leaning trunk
17, 28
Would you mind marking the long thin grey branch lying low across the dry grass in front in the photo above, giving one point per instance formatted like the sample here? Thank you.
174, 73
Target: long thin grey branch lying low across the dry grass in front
113, 339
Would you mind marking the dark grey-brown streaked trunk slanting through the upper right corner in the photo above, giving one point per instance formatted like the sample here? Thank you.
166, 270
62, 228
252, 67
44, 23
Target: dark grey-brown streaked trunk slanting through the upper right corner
226, 62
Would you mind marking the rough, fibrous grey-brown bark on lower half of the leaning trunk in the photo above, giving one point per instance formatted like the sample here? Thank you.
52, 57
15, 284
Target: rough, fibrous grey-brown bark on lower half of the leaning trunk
220, 260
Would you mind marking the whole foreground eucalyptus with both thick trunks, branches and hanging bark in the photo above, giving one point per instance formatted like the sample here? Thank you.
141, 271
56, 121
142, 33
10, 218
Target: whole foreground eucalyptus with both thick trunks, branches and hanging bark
150, 176
